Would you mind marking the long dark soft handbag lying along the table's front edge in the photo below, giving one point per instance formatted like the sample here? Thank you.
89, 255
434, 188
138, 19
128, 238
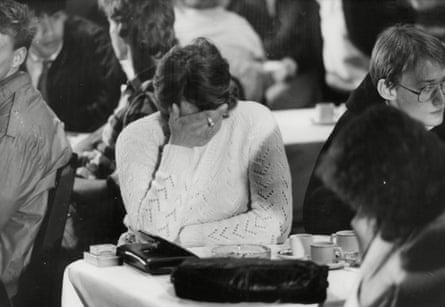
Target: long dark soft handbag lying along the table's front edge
251, 280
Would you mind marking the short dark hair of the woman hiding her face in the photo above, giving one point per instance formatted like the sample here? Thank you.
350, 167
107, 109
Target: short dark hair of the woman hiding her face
197, 73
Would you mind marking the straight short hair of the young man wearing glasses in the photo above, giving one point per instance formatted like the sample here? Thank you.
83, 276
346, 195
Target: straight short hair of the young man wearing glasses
401, 48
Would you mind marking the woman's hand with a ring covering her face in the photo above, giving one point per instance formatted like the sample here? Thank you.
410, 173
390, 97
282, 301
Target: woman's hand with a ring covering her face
195, 129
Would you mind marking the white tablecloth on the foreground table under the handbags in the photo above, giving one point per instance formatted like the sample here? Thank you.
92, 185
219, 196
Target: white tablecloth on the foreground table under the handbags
126, 286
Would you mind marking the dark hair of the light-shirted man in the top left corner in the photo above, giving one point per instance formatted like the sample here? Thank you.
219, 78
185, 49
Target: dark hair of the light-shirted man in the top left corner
16, 21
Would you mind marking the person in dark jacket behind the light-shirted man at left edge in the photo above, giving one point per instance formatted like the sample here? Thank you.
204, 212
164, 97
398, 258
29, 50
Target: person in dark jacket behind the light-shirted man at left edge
72, 63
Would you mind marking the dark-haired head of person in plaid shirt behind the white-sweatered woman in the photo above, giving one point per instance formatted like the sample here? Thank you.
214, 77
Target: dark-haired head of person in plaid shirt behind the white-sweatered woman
145, 25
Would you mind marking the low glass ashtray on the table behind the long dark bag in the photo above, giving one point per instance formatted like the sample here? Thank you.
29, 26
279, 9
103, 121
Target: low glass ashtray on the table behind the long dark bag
242, 251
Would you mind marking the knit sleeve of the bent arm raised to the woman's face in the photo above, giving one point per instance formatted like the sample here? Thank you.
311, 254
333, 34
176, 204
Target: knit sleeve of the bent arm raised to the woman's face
152, 182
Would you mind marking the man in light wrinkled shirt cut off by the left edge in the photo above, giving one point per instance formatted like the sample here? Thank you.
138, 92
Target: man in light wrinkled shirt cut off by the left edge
33, 146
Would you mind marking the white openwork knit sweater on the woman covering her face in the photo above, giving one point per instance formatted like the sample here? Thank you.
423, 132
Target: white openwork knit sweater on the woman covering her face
235, 189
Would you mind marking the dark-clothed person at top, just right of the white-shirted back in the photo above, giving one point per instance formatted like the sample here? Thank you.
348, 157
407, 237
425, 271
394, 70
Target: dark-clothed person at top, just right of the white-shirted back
290, 31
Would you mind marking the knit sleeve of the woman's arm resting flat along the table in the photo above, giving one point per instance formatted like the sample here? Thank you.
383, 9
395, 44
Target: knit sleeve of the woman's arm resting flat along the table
269, 215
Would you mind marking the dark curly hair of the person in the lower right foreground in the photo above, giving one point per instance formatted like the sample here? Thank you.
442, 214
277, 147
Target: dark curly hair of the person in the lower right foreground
386, 165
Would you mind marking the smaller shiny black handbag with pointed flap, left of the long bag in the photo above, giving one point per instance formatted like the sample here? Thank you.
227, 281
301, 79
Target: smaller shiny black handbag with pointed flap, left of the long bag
156, 256
